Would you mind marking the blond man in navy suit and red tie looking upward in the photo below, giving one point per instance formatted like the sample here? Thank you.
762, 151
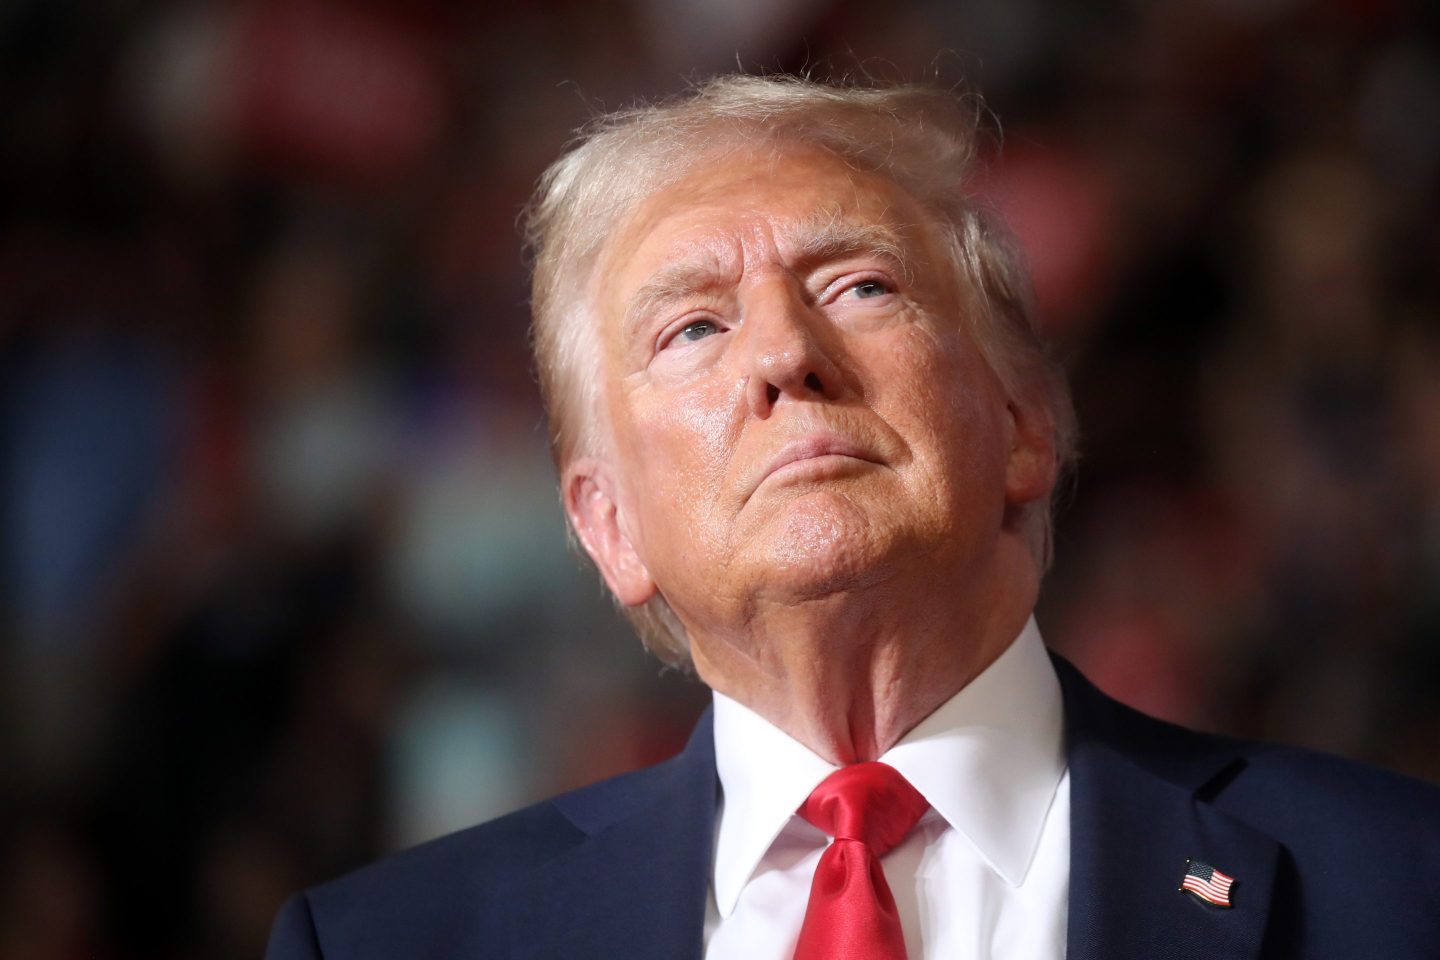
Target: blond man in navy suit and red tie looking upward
809, 437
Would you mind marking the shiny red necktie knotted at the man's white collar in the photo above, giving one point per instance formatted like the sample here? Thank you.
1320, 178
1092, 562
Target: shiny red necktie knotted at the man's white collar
852, 916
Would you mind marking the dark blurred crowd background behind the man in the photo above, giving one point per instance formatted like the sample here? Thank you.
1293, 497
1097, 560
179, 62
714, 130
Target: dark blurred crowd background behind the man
283, 576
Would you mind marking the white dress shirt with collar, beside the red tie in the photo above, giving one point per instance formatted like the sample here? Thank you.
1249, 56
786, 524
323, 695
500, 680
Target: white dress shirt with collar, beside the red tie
986, 874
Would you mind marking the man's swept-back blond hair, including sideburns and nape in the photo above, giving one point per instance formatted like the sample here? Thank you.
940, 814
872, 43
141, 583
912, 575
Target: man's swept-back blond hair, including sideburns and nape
924, 139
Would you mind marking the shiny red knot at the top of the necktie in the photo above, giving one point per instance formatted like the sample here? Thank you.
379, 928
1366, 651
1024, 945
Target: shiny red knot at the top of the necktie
869, 802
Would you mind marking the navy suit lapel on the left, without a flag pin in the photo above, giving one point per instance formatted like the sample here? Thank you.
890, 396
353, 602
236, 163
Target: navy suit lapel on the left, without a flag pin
637, 886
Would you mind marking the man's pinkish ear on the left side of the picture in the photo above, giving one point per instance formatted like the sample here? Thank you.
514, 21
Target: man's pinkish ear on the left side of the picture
594, 512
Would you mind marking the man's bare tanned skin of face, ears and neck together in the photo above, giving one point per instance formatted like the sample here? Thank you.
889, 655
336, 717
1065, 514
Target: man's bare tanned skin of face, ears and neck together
806, 453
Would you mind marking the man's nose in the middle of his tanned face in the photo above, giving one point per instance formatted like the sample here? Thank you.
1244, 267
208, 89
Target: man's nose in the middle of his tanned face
786, 353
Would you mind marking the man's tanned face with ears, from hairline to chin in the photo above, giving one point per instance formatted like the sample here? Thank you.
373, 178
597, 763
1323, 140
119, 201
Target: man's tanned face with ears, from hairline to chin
794, 404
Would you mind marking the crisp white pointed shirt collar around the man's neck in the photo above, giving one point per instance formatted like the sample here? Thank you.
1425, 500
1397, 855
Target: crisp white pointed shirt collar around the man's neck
990, 769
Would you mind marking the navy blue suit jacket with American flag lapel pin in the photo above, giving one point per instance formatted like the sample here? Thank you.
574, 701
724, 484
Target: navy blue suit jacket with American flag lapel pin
1331, 861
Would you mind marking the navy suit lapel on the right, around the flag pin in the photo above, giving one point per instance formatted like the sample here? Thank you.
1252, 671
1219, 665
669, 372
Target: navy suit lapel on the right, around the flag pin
1137, 817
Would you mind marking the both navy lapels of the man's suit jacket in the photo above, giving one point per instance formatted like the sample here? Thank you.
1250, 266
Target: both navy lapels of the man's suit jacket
1141, 805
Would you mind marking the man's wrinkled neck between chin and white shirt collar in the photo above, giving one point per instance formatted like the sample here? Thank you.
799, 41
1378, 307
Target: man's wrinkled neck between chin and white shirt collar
850, 674
